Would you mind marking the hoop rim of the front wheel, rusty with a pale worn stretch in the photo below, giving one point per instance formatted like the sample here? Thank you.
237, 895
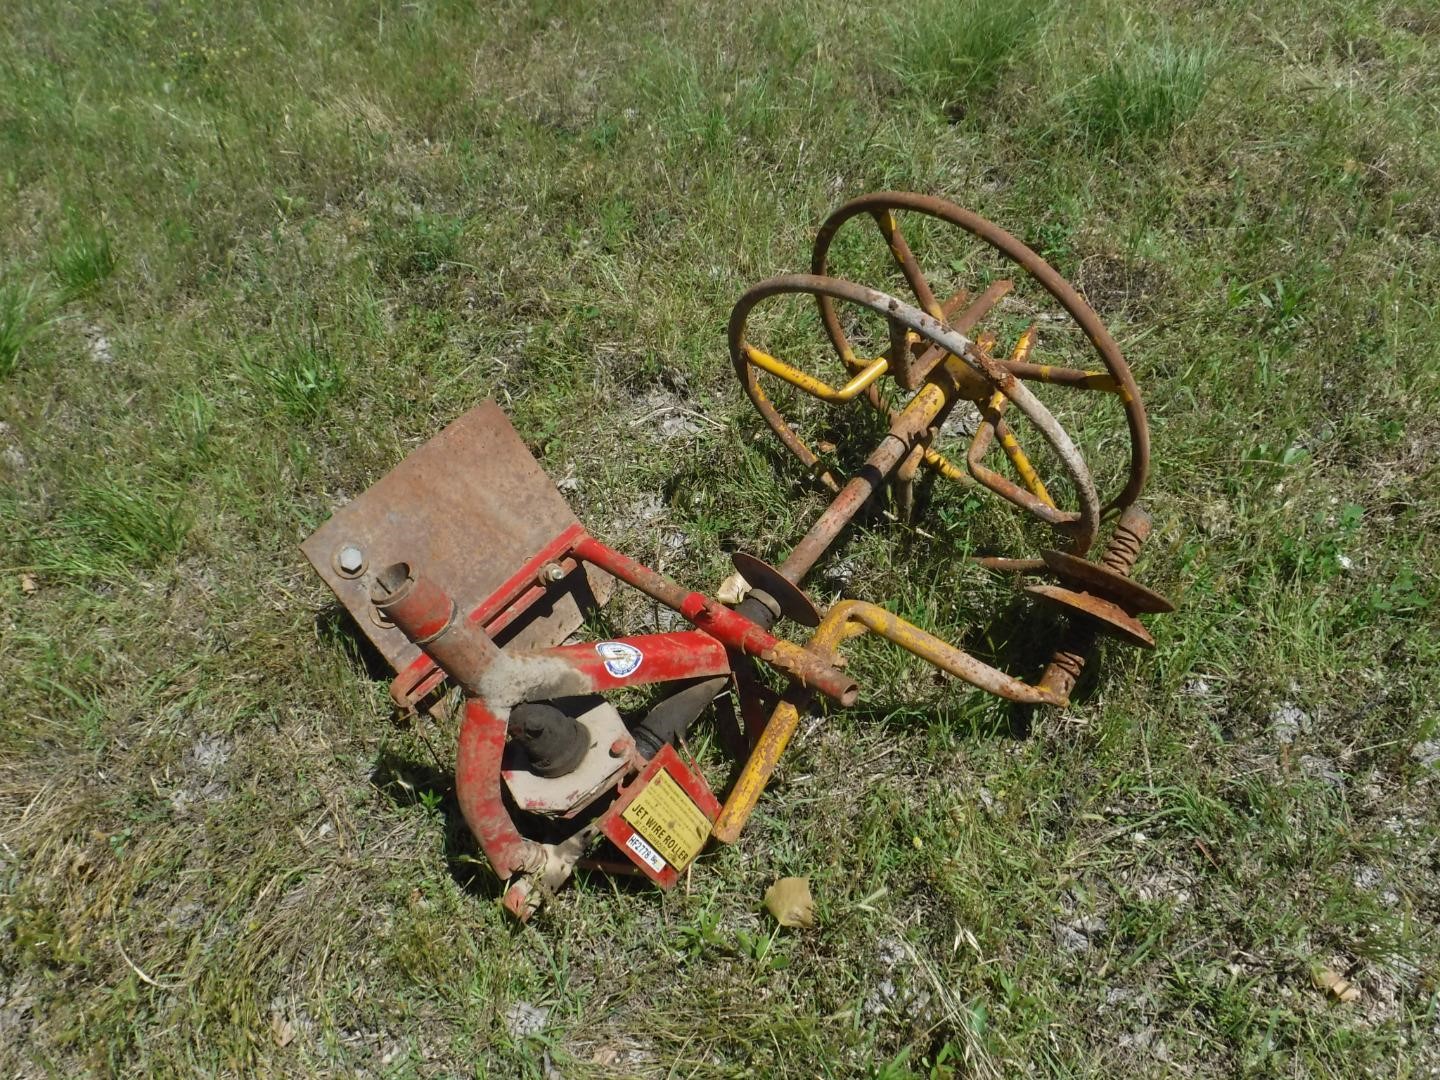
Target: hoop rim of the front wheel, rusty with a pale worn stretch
1085, 525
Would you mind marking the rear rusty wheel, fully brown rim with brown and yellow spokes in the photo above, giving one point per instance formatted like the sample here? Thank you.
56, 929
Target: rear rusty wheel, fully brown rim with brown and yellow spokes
964, 313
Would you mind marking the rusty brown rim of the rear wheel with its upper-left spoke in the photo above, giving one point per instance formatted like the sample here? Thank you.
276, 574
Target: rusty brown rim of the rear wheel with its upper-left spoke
882, 204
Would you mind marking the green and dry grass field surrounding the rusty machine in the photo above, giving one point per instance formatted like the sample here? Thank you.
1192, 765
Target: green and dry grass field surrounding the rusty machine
254, 254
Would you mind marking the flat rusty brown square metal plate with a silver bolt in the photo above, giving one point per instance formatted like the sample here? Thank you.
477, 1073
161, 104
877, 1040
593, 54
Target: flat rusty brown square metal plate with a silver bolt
469, 509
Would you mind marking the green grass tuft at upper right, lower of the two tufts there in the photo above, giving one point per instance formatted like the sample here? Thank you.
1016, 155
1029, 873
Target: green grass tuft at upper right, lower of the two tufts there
1144, 96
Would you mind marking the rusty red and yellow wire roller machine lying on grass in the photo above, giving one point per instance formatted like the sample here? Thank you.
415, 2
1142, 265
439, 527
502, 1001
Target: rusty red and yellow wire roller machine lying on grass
510, 647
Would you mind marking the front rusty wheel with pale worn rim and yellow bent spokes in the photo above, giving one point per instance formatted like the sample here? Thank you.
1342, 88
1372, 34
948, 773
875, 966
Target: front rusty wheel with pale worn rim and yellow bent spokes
978, 377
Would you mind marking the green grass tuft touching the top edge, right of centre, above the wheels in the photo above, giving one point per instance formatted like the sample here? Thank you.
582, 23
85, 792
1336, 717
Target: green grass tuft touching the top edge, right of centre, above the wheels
951, 53
